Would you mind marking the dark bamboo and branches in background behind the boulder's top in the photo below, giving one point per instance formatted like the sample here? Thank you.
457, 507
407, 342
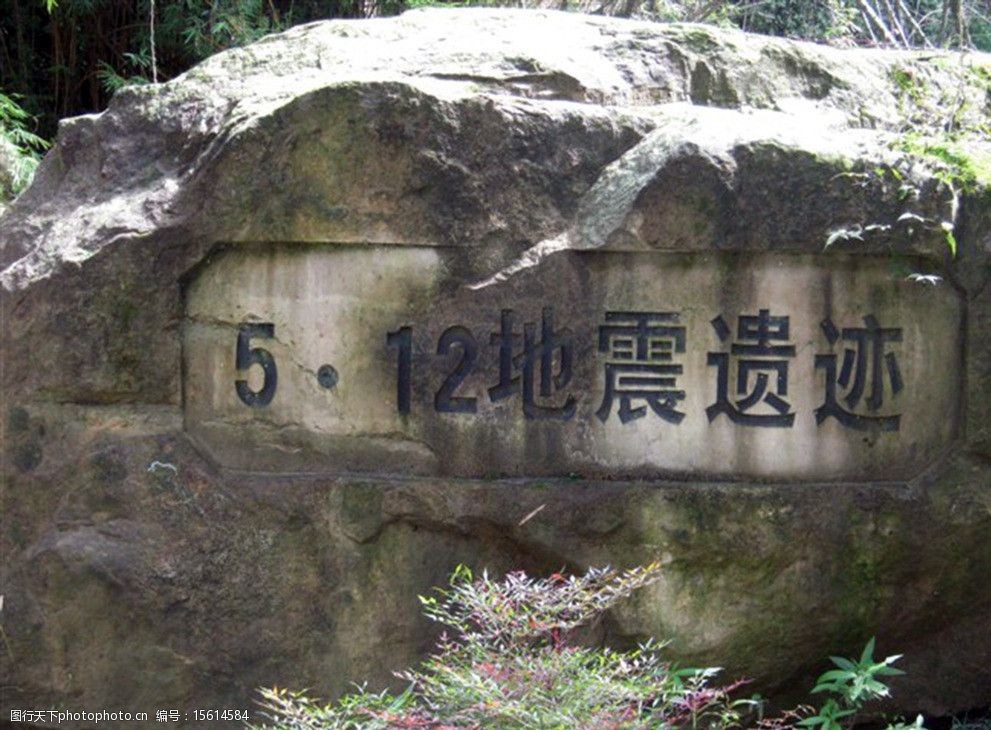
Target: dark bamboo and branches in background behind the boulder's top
65, 58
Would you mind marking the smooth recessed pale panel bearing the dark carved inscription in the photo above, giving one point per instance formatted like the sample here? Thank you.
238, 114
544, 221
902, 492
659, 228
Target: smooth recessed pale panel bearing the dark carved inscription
337, 359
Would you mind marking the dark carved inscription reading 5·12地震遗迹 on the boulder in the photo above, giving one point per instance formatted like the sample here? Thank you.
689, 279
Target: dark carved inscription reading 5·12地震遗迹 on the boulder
638, 369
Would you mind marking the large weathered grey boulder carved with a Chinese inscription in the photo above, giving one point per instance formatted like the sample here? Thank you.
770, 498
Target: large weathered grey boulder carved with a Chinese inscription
174, 535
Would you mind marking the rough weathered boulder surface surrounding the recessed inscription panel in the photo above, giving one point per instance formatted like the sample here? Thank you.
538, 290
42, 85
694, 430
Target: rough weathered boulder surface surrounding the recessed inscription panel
467, 133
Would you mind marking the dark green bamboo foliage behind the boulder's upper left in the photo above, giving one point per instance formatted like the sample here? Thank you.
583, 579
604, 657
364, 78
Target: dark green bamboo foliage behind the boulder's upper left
69, 57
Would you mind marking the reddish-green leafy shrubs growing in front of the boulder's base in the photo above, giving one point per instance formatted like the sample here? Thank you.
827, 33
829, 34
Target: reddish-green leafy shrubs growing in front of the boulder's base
511, 666
